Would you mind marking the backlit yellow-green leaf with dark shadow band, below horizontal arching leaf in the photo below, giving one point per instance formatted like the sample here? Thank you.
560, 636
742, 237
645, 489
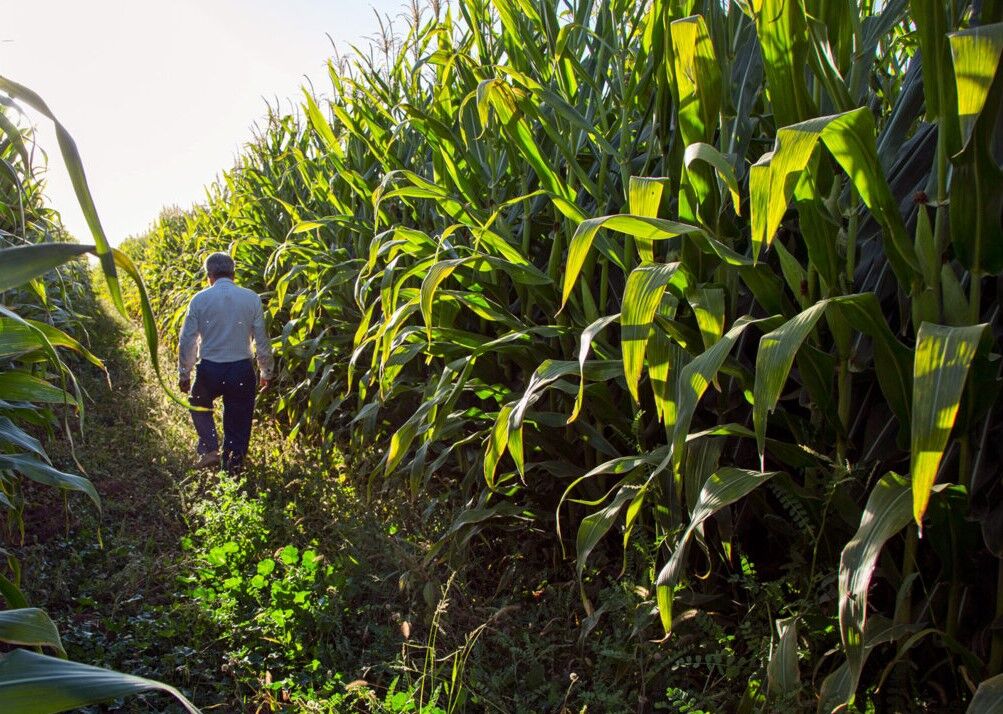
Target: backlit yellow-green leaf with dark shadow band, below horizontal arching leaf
645, 287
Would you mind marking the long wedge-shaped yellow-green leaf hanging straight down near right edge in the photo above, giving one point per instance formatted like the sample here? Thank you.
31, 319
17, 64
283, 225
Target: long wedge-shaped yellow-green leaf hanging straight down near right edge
943, 356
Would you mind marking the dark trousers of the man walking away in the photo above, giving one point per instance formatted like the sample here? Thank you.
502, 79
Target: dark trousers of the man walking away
236, 384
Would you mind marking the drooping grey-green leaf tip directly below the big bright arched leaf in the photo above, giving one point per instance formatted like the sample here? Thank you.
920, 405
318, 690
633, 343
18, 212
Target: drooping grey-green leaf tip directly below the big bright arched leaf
773, 366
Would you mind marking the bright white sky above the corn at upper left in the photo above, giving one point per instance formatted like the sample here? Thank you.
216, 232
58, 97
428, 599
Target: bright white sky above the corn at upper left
160, 97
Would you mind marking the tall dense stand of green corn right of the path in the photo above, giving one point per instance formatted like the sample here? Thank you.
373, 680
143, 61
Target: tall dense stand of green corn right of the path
708, 292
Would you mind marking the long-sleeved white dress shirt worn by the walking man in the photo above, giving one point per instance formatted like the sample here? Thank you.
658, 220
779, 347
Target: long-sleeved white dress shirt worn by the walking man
220, 324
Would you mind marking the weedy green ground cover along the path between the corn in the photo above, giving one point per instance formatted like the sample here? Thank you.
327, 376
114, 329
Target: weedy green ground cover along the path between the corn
283, 590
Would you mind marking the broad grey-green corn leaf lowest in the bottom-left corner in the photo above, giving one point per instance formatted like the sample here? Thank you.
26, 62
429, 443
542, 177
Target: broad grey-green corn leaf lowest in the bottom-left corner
38, 684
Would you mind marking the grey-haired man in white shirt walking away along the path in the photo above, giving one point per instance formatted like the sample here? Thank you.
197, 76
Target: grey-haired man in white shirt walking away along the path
224, 319
